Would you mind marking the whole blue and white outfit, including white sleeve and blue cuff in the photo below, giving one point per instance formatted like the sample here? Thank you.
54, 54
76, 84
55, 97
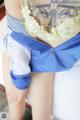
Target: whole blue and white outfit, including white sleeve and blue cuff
30, 55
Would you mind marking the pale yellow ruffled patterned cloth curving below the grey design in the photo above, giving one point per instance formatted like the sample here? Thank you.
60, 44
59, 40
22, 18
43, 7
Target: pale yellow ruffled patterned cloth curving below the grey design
68, 28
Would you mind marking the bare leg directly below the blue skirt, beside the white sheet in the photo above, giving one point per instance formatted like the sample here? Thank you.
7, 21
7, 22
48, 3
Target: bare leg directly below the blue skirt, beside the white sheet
41, 95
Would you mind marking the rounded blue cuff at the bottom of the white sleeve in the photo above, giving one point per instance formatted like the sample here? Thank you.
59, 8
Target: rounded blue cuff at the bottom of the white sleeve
21, 81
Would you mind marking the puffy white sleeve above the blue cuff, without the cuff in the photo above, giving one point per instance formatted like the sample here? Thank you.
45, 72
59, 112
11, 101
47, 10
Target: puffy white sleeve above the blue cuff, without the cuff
20, 57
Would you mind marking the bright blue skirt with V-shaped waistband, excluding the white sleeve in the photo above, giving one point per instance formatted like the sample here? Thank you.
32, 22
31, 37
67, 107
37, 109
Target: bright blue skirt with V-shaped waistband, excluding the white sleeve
47, 59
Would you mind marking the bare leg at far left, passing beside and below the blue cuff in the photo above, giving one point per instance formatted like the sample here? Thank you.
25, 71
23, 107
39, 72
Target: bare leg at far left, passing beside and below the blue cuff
15, 96
